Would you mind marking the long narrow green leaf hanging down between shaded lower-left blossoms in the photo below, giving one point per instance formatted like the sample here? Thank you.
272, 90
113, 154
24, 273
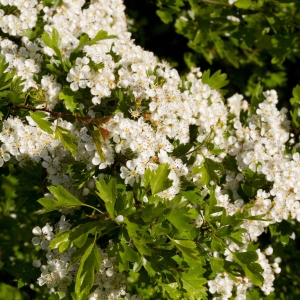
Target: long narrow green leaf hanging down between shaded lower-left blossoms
89, 263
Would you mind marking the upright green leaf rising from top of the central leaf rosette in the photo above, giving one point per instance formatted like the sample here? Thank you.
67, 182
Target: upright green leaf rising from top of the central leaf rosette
108, 193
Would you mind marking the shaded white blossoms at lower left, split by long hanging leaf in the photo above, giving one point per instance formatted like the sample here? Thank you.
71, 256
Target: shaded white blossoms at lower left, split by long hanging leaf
59, 271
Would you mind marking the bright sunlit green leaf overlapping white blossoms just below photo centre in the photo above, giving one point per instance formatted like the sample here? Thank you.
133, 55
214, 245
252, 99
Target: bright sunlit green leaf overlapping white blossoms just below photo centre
159, 179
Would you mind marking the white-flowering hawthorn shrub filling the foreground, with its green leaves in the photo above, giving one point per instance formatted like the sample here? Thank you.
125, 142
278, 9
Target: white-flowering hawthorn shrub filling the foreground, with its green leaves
130, 181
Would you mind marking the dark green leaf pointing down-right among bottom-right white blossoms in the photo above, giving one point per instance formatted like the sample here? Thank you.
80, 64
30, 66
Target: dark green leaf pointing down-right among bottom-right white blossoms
252, 270
